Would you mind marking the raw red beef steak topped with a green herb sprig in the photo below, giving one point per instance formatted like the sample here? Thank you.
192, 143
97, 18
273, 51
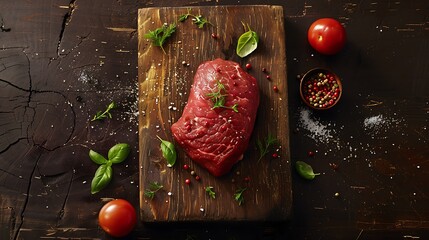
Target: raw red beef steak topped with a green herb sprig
216, 124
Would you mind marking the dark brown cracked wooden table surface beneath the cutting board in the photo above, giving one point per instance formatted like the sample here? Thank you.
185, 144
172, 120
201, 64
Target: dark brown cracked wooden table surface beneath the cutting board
62, 61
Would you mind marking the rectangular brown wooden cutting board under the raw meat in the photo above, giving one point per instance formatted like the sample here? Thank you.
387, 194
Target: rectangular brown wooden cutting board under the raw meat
164, 83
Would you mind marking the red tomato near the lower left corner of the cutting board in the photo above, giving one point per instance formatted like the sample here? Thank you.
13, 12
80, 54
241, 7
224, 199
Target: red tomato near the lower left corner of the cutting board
117, 217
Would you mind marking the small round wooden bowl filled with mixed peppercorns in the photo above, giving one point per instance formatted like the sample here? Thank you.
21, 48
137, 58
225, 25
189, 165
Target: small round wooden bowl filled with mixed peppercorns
320, 88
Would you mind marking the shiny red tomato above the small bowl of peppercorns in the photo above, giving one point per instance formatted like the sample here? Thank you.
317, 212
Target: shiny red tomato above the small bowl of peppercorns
327, 36
